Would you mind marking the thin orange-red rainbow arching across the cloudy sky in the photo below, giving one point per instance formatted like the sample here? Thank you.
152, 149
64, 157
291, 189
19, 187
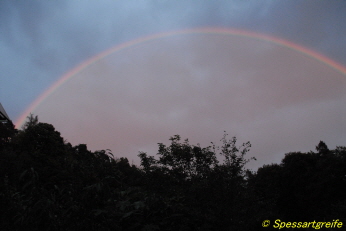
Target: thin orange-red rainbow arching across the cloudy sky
235, 32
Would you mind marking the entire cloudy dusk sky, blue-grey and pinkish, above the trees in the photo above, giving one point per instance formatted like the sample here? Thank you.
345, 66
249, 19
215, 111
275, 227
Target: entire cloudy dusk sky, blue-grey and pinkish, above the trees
246, 67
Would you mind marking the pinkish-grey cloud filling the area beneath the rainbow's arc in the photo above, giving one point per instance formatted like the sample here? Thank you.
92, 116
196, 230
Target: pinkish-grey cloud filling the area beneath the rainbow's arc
197, 86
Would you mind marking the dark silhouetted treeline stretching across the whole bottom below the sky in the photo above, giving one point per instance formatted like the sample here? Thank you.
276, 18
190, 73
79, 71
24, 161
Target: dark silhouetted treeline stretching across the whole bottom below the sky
48, 184
